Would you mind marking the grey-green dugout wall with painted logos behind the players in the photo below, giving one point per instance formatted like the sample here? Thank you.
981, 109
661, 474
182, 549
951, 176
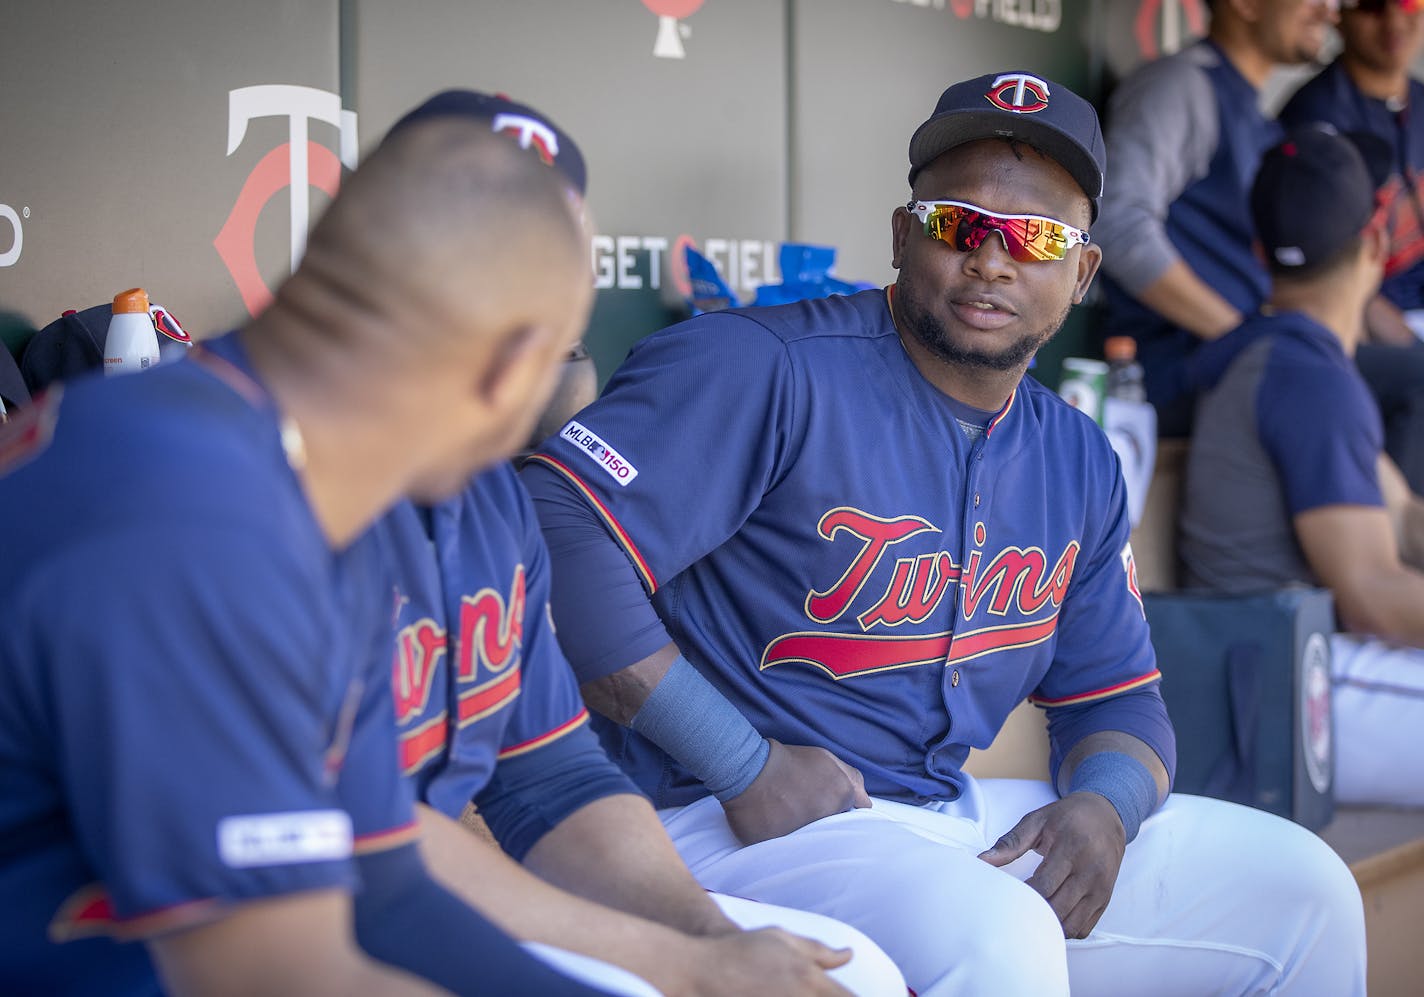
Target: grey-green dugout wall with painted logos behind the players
187, 146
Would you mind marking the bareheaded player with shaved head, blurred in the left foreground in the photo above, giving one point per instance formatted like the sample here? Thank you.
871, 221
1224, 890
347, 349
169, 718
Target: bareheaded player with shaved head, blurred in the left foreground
197, 738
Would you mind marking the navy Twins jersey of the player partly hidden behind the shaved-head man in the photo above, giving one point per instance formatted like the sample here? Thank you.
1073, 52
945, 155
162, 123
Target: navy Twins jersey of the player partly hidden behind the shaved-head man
478, 673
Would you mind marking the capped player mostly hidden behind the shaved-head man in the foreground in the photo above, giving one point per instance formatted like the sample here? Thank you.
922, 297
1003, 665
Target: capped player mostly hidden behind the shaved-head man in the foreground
489, 711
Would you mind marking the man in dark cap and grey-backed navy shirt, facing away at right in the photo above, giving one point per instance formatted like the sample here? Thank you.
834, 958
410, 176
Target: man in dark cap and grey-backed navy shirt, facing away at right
1287, 479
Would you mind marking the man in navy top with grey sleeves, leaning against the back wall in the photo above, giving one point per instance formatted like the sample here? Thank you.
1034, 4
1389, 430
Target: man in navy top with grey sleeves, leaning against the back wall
1185, 135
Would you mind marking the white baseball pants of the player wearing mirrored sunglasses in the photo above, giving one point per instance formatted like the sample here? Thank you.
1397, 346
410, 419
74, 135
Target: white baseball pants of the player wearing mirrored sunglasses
1213, 898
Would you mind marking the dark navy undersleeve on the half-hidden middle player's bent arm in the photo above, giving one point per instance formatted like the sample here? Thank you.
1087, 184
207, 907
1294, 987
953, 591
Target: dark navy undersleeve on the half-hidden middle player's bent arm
529, 795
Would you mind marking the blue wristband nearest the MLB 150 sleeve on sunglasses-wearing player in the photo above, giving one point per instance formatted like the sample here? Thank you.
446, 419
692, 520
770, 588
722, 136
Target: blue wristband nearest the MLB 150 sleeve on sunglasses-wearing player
690, 720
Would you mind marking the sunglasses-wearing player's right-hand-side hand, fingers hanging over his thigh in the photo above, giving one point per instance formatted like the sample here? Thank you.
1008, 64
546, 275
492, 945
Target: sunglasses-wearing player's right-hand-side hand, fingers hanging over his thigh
1083, 842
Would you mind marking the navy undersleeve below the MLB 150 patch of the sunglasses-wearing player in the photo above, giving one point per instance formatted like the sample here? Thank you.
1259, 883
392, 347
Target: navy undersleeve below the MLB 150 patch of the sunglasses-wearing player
600, 607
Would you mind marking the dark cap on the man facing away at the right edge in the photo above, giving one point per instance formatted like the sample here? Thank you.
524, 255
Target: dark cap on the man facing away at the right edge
1312, 197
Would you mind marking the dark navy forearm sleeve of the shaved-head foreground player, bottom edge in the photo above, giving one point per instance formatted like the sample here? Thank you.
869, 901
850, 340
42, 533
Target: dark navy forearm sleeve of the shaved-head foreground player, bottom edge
407, 919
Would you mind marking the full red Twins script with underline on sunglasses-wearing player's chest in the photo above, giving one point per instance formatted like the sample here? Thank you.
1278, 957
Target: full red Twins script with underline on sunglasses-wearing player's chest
1019, 586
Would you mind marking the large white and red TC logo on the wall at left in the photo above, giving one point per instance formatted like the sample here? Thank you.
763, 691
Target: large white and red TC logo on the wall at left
297, 166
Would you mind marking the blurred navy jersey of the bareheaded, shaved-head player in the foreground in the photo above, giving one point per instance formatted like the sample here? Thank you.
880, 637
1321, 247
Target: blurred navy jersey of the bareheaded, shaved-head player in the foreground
182, 686
